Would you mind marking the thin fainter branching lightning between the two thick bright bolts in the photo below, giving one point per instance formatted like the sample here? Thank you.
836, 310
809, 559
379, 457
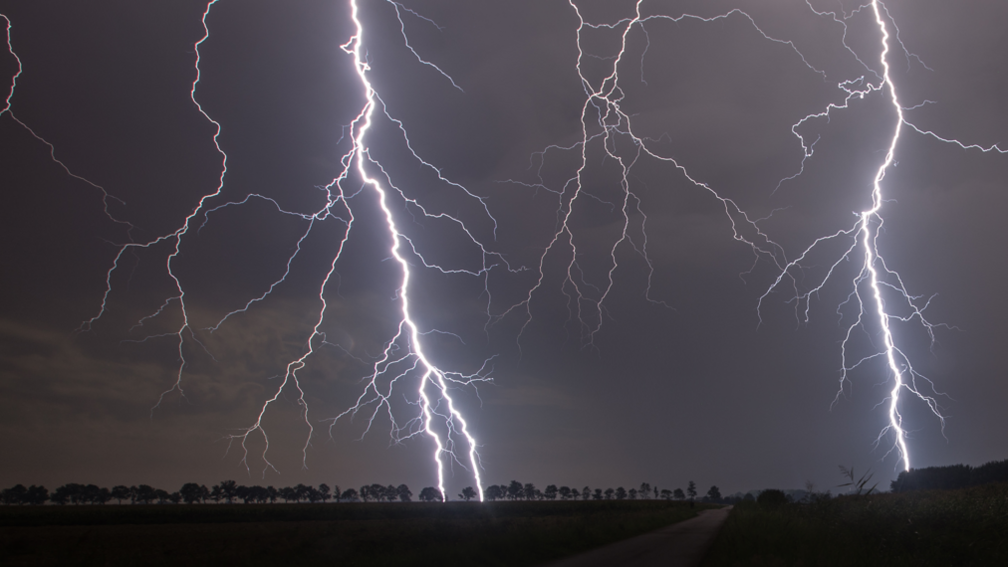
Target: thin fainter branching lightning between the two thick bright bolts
607, 127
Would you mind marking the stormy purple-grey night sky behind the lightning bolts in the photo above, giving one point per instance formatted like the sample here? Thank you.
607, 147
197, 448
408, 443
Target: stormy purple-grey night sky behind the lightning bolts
678, 377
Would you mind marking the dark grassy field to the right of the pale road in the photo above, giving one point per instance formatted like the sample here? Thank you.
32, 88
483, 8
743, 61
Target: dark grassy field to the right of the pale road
941, 528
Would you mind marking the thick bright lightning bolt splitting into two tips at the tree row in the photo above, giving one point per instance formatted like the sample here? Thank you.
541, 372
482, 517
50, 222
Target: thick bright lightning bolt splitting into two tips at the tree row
404, 360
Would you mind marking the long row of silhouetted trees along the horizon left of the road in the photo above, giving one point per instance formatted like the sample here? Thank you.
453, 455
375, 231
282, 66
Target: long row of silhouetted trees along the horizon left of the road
229, 492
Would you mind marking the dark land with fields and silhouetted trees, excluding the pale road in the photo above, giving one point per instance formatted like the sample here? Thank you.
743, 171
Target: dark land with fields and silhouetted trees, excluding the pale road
940, 516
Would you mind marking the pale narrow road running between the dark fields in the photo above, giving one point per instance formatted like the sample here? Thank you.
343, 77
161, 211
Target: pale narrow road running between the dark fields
679, 545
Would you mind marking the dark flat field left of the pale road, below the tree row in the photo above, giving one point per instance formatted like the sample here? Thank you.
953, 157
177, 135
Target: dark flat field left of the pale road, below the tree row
509, 533
